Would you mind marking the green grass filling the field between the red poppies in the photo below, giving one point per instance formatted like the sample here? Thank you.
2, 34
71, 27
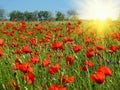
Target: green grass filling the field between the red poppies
43, 78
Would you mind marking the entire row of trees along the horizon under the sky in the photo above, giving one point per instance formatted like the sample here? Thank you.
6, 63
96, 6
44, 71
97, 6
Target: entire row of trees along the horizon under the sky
37, 15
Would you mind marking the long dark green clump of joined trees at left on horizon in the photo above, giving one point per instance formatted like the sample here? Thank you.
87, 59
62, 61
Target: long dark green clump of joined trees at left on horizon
30, 16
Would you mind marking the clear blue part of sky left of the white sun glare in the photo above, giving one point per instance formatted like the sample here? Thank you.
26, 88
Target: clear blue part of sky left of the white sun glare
32, 5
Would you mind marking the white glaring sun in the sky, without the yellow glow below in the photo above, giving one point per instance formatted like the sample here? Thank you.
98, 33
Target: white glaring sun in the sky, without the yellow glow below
98, 9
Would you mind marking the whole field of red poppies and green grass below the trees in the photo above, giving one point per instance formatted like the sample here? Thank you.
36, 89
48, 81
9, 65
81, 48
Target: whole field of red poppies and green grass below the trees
65, 55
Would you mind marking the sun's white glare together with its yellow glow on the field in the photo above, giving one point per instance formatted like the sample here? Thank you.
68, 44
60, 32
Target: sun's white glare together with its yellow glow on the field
103, 12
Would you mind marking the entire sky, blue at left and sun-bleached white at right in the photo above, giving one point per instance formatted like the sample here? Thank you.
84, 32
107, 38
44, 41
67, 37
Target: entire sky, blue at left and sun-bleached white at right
83, 7
